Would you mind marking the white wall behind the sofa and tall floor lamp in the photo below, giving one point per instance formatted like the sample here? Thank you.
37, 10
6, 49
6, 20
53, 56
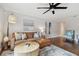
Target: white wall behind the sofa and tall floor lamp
18, 26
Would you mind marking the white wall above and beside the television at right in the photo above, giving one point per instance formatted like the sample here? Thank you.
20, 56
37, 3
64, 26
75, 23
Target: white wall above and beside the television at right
72, 23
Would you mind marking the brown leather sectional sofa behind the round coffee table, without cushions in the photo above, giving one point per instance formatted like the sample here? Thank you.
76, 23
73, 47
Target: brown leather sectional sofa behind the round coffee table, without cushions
43, 42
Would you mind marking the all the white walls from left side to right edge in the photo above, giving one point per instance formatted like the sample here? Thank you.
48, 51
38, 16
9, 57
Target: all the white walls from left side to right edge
71, 23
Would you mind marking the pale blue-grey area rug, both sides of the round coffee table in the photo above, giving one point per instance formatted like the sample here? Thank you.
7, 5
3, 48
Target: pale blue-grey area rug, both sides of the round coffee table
47, 51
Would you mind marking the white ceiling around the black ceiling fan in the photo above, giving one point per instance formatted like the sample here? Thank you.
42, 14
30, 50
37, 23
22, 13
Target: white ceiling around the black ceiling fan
31, 10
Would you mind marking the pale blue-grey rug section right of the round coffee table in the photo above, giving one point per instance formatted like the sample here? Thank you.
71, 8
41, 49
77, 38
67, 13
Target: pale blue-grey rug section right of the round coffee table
55, 51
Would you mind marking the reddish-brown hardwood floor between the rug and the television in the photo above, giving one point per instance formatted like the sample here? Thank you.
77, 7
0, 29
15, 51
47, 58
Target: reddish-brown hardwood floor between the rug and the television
65, 45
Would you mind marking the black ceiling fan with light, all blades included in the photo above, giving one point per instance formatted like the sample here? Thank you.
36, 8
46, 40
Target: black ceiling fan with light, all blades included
52, 6
